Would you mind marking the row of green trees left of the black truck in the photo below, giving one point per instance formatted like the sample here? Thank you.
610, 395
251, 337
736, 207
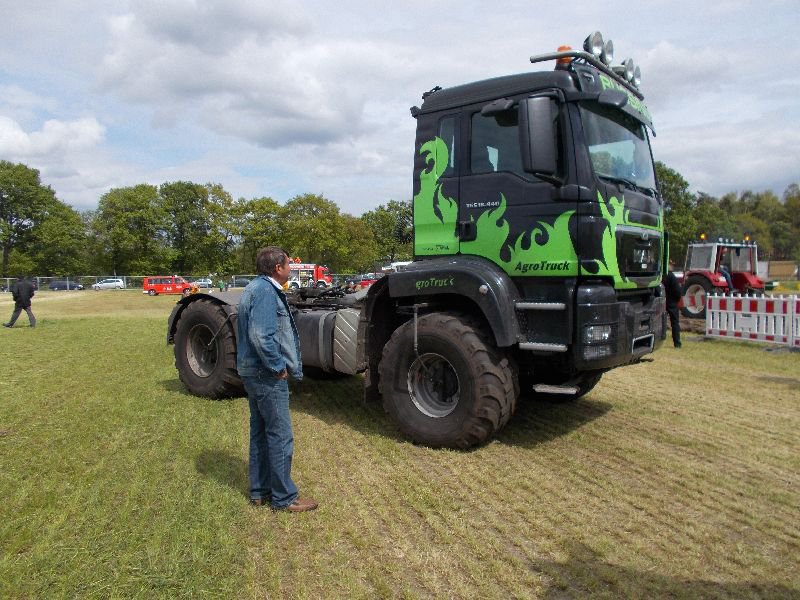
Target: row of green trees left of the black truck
187, 228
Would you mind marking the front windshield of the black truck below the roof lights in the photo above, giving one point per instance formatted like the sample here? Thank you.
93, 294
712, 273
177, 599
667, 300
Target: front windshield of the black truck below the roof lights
618, 146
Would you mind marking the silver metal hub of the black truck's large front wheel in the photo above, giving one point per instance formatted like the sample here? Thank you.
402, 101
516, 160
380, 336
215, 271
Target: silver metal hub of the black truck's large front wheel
433, 385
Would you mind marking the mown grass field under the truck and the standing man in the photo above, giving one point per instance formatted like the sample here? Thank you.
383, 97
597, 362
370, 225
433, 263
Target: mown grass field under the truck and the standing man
678, 478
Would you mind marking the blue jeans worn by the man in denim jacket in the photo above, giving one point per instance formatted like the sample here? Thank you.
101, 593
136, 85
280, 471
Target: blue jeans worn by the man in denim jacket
271, 440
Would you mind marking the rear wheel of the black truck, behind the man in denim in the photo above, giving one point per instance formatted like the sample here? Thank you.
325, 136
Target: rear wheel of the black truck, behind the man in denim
207, 368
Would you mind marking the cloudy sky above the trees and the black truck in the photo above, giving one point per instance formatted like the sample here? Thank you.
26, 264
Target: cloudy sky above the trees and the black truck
274, 98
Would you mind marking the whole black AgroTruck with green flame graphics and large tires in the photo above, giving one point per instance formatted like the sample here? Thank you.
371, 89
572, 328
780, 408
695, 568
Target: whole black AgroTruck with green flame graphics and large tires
539, 250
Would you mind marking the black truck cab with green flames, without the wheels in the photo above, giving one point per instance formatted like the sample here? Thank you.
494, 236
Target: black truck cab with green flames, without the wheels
548, 176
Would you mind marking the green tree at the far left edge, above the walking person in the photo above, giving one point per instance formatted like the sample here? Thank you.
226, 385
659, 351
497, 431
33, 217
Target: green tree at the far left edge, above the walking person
23, 204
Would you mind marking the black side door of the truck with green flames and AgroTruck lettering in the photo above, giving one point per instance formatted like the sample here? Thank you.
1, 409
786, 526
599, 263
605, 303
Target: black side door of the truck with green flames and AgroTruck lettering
505, 214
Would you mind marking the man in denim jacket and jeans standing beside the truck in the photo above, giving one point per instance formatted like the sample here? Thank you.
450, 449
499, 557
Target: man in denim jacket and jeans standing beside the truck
267, 353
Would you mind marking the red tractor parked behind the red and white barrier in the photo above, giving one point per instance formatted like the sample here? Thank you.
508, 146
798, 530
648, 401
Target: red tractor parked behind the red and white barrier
721, 267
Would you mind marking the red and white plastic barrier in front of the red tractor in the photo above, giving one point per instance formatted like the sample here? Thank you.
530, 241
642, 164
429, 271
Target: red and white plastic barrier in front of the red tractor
763, 319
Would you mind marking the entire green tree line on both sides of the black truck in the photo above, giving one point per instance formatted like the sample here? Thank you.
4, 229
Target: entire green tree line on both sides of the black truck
189, 228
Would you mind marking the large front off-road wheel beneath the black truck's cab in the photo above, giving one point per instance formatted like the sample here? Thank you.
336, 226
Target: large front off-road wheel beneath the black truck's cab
457, 391
